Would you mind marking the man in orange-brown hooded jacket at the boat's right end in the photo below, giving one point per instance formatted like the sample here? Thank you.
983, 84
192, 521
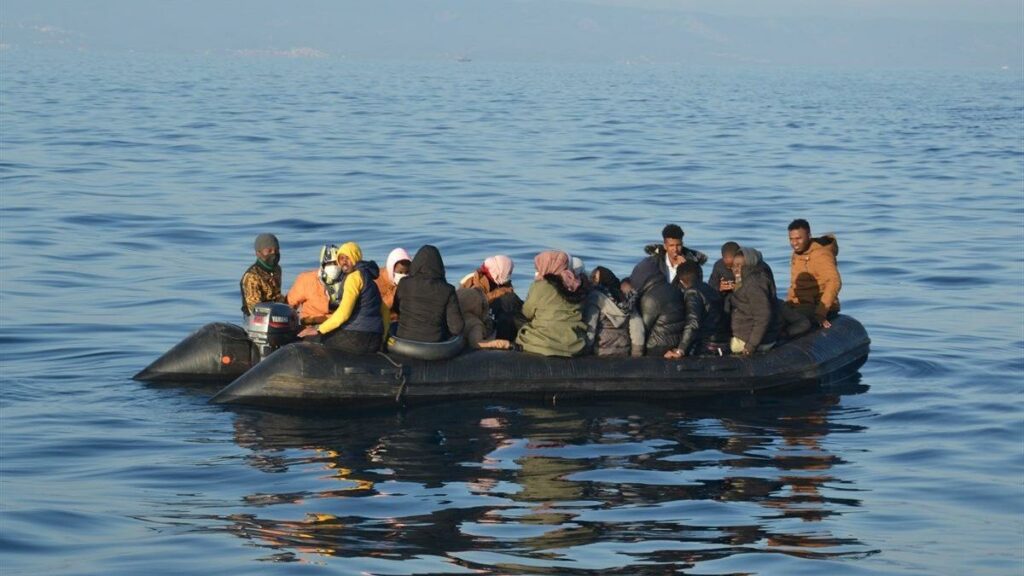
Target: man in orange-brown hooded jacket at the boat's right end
815, 279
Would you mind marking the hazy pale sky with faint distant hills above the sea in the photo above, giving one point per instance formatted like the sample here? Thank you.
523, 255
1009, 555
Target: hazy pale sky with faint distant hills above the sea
902, 33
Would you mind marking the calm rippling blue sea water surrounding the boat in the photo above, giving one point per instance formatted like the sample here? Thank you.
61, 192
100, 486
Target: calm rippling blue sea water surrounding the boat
133, 187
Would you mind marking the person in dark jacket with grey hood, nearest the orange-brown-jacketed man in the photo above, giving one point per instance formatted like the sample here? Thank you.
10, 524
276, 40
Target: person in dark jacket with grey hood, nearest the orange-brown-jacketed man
753, 307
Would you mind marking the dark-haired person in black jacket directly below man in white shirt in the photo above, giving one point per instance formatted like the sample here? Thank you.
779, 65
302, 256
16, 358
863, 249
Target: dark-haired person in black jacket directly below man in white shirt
704, 312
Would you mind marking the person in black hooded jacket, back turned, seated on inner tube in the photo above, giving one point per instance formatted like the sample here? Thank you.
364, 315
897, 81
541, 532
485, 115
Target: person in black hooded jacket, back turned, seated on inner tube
425, 303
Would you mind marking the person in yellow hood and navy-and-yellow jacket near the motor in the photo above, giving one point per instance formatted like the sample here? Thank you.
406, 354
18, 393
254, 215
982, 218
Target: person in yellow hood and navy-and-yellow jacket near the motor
359, 324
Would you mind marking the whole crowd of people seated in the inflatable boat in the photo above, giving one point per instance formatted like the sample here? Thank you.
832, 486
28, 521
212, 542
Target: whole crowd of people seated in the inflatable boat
664, 309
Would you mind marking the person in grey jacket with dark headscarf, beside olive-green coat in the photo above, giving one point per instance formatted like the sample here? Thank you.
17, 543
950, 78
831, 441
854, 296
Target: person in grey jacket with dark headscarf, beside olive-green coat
614, 323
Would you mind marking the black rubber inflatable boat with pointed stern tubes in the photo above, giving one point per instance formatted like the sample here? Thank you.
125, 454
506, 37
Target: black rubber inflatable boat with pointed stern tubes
308, 376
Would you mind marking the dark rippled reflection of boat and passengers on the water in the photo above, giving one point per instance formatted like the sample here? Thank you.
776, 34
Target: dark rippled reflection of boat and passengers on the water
538, 489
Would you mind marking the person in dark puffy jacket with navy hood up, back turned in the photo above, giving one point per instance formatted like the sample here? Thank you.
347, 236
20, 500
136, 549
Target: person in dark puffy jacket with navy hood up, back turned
661, 307
